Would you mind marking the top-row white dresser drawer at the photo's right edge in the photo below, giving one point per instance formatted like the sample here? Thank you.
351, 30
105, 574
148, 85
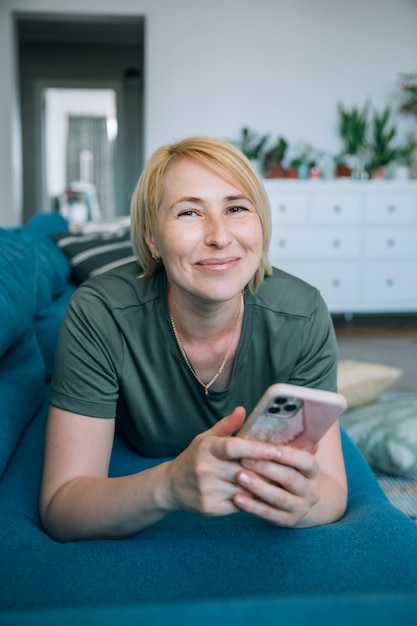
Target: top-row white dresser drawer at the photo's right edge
391, 209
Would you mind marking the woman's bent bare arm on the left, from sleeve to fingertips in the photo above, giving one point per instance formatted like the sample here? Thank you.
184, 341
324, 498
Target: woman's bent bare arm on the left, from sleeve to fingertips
79, 501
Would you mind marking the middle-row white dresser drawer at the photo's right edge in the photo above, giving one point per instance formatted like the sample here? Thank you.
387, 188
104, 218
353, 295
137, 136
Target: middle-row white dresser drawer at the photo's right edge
391, 243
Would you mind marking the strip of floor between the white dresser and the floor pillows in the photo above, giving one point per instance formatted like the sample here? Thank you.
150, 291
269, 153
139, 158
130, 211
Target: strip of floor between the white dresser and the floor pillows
385, 339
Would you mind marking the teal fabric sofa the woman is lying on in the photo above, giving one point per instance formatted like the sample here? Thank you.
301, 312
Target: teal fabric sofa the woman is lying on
185, 569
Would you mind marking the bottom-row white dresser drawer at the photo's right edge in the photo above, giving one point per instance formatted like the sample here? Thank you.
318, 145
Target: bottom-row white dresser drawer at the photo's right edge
390, 281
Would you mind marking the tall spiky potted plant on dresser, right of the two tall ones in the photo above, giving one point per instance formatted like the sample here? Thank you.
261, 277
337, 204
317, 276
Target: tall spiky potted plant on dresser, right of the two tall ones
382, 151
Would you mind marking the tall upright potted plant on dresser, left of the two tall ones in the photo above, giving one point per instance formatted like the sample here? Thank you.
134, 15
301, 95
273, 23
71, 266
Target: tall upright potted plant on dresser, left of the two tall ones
353, 125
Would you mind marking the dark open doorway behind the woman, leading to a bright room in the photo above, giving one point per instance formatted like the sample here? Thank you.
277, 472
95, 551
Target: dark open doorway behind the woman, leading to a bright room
88, 72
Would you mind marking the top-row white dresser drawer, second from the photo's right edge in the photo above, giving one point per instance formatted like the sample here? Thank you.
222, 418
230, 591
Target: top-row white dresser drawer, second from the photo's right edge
336, 209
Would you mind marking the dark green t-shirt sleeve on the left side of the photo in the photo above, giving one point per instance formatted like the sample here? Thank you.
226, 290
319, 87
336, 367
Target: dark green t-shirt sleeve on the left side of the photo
88, 358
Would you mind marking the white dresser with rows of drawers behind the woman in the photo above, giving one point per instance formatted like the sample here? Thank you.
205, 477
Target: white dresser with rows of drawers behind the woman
354, 240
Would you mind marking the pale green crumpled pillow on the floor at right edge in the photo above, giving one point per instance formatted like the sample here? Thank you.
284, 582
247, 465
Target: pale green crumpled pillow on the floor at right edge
386, 433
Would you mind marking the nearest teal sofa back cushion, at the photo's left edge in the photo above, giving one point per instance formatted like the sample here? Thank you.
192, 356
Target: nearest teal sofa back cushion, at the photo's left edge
22, 366
